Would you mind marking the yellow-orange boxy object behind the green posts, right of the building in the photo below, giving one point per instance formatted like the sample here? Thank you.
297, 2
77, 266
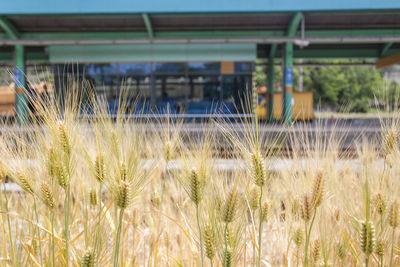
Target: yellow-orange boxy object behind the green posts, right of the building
302, 108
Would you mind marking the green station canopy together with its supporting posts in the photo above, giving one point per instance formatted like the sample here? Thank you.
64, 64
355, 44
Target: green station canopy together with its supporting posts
223, 31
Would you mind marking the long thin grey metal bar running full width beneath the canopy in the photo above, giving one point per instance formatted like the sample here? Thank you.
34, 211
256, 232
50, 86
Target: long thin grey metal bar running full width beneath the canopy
251, 39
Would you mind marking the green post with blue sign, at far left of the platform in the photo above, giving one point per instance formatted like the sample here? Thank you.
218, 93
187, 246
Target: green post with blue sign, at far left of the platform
21, 100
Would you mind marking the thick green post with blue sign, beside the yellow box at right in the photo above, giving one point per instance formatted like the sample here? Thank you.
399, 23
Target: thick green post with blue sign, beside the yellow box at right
288, 82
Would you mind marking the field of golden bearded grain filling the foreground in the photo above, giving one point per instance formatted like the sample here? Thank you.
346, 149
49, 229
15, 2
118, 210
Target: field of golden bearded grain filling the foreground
104, 191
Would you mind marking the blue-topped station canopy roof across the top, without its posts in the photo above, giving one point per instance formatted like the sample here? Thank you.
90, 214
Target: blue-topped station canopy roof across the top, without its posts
351, 29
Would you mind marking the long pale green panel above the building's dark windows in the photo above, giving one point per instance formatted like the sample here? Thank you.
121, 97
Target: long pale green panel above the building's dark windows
153, 52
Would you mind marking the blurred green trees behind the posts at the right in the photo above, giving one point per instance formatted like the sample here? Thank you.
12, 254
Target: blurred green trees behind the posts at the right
350, 88
